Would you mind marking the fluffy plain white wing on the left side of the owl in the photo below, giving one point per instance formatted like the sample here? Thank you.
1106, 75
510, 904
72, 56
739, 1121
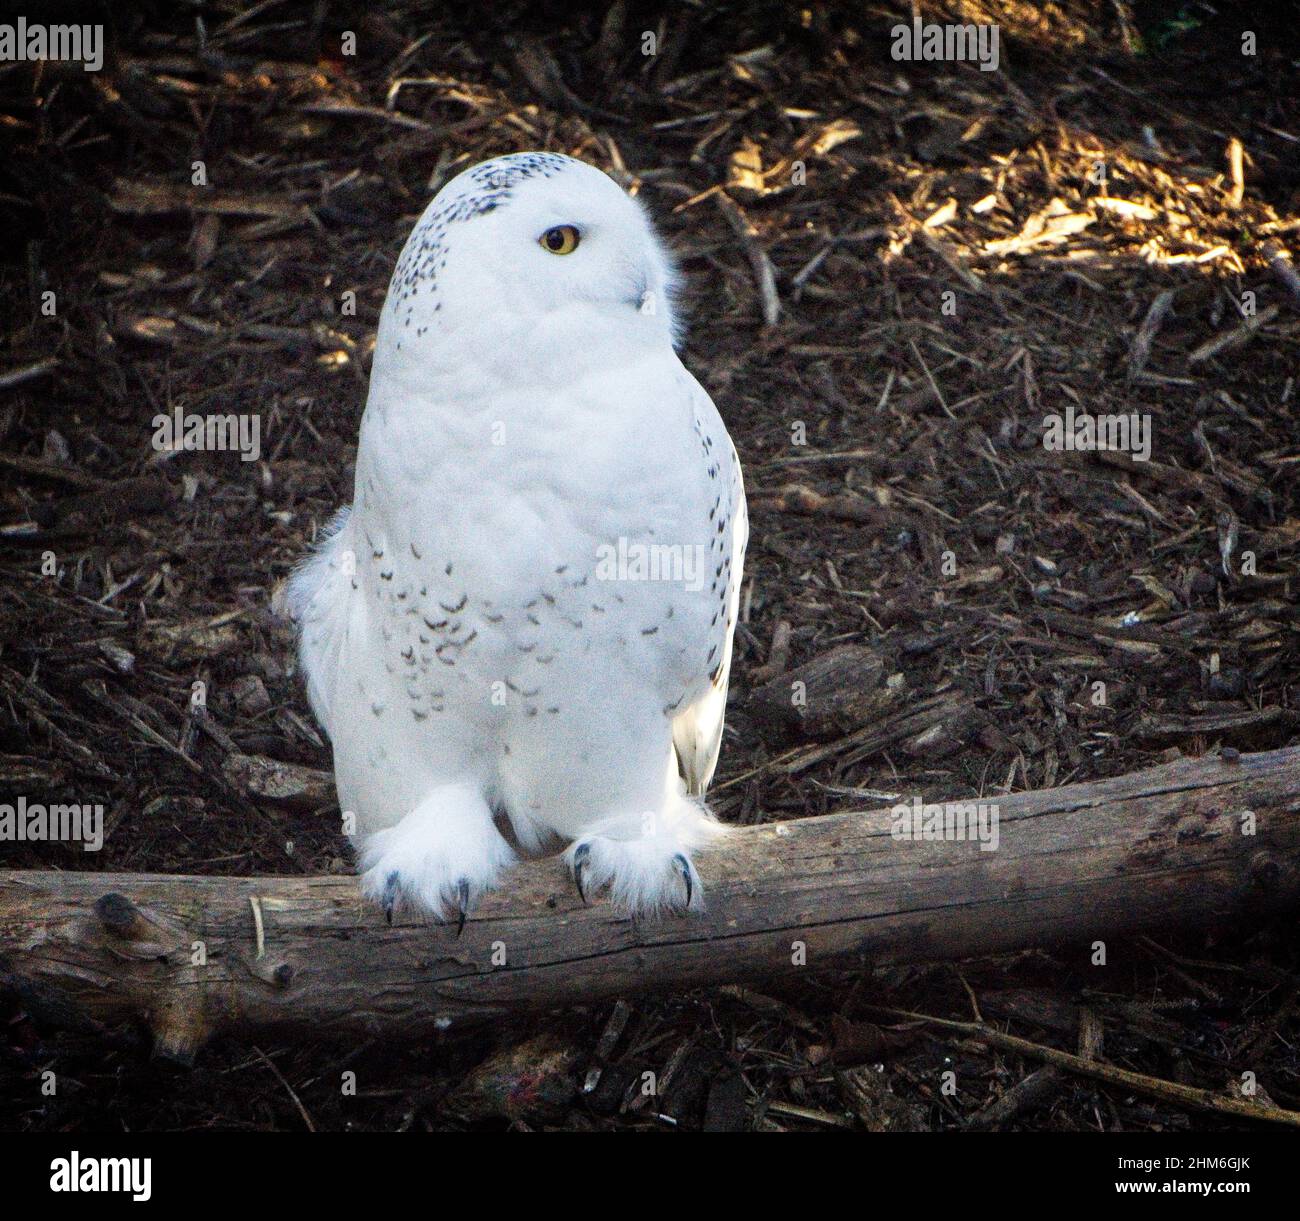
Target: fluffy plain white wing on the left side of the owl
318, 599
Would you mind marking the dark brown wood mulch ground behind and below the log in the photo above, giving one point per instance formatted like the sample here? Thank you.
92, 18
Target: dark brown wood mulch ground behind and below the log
956, 256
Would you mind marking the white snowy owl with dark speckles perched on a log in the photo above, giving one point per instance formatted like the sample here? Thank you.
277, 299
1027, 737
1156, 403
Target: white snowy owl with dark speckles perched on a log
521, 633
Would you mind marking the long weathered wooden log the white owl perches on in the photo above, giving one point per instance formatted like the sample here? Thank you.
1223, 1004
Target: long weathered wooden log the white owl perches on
1163, 847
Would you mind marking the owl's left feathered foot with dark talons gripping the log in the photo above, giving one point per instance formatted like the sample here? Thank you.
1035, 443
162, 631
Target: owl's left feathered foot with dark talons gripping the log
439, 859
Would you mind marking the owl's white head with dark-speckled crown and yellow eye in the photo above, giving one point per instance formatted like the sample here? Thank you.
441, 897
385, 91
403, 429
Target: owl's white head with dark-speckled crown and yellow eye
528, 239
